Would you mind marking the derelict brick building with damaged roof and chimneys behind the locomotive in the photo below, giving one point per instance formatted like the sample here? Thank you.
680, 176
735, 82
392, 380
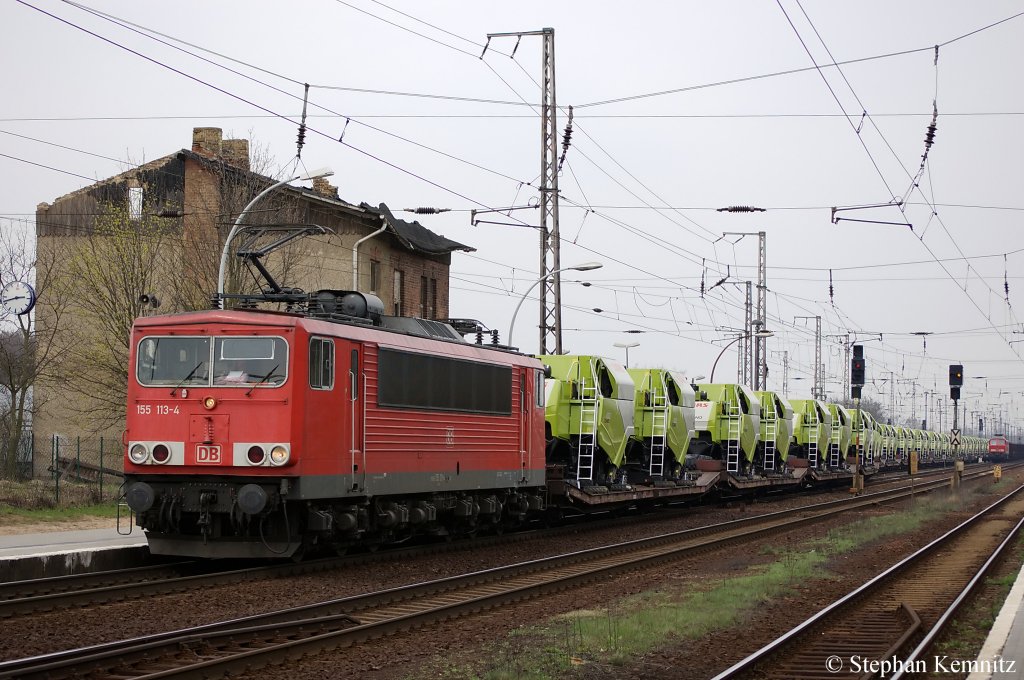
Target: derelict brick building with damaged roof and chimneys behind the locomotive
193, 197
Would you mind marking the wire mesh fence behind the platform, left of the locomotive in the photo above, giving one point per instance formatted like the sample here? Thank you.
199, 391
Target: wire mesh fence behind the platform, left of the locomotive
54, 470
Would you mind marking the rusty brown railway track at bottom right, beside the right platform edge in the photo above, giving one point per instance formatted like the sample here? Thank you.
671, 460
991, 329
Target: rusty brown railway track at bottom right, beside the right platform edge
884, 628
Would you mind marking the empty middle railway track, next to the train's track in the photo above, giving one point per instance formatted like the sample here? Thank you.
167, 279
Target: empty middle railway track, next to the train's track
239, 647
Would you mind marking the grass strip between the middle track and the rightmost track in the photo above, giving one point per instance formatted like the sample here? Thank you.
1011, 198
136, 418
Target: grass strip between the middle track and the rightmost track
689, 610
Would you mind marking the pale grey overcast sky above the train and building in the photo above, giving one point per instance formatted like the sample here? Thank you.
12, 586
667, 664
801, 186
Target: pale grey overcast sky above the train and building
679, 108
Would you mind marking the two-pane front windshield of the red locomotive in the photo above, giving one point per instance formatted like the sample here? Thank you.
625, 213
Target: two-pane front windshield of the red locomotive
228, 361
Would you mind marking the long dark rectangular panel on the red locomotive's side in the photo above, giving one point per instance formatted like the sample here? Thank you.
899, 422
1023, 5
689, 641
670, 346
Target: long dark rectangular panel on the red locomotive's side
408, 380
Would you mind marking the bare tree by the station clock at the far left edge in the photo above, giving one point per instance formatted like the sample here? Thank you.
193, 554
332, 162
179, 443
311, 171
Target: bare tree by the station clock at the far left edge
33, 348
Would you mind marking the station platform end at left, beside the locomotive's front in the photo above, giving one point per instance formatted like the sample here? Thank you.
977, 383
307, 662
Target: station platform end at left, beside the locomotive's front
26, 557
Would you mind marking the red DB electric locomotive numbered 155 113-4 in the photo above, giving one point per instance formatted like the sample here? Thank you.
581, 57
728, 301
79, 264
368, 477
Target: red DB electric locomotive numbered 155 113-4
261, 435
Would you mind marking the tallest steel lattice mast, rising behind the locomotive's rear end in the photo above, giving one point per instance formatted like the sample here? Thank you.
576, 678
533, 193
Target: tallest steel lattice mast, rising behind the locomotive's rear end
551, 287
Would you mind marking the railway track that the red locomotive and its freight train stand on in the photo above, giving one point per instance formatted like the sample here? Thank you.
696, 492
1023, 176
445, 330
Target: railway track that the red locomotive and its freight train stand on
24, 598
